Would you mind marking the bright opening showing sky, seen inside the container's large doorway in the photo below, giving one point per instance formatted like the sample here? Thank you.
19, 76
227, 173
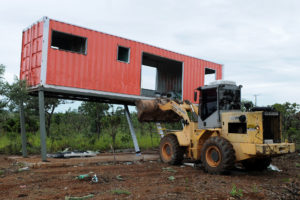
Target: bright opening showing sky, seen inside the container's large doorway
148, 79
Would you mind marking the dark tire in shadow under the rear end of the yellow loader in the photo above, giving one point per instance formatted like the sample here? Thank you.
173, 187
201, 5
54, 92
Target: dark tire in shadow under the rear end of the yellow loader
257, 164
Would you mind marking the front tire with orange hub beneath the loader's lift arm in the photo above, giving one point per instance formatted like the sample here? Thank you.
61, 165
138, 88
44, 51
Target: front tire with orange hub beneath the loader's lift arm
175, 152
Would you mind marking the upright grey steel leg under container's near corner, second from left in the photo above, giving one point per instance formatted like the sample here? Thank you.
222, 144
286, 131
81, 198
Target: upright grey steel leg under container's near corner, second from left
42, 124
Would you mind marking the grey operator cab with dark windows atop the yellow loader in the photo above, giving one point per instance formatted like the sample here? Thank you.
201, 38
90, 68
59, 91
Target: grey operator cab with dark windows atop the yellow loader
215, 98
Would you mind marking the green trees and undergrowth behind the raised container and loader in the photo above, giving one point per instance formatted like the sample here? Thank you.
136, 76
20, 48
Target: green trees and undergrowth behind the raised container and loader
93, 126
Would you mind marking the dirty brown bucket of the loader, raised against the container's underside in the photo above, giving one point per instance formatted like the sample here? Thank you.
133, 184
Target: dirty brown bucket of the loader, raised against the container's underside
149, 111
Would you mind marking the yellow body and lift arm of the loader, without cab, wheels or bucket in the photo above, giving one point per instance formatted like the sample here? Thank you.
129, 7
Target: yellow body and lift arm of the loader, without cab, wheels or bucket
247, 143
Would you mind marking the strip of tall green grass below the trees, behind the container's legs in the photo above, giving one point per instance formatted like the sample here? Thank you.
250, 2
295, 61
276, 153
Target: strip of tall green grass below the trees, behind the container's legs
10, 143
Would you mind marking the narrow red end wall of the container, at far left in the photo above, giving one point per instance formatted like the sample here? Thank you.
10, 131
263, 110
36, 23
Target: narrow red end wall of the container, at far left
31, 55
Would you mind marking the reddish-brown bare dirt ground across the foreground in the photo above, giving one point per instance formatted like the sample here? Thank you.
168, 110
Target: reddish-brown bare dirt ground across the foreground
148, 180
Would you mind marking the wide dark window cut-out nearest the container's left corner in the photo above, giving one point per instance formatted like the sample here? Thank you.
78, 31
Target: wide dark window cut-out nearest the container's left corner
68, 42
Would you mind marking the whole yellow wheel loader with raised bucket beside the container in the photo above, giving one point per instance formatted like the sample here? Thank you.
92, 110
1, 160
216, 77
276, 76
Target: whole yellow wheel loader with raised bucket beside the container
216, 131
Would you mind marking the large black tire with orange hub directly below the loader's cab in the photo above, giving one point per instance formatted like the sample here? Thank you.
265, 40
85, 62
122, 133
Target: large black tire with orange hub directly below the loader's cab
226, 155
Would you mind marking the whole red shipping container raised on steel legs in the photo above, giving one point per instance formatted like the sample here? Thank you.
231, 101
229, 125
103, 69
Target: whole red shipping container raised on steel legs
73, 62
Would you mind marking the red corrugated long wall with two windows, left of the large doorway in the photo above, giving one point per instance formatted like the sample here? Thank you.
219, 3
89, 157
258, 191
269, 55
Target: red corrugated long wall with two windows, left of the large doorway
99, 68
